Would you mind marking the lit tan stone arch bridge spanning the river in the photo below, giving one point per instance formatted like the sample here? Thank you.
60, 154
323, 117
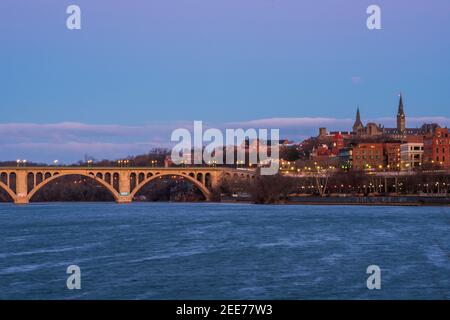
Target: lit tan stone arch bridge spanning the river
22, 183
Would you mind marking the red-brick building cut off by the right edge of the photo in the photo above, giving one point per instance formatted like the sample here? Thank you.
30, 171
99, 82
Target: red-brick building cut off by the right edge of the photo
437, 148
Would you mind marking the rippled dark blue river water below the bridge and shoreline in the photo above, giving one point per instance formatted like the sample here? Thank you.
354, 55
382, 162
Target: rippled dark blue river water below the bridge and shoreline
223, 251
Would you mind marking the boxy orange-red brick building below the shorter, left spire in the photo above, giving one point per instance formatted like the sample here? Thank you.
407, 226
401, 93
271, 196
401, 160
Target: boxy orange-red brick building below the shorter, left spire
367, 156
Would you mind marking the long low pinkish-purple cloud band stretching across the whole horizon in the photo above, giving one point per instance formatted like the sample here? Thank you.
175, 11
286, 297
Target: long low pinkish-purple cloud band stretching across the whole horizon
69, 142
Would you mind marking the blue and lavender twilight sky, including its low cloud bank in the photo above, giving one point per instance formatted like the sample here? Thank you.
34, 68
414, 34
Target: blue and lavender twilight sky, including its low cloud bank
137, 69
